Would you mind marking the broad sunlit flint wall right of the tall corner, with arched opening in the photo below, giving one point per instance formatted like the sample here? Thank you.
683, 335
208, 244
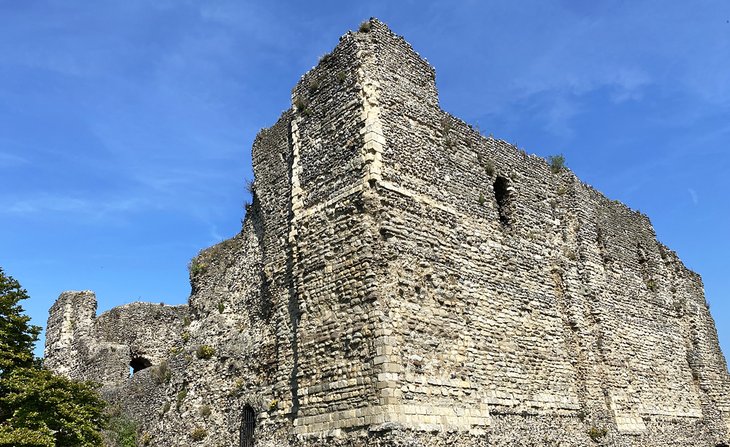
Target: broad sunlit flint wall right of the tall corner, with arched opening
511, 279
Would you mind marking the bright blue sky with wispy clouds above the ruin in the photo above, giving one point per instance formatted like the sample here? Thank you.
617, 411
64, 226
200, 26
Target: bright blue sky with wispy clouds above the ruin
126, 127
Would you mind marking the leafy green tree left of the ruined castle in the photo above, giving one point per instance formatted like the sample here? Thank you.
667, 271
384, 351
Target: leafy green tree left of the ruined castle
37, 407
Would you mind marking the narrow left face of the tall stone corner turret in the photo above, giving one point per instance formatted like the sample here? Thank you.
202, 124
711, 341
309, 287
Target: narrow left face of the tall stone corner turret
330, 236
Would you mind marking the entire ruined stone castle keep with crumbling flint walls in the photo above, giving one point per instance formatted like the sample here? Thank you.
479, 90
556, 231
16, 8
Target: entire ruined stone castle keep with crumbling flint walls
401, 279
